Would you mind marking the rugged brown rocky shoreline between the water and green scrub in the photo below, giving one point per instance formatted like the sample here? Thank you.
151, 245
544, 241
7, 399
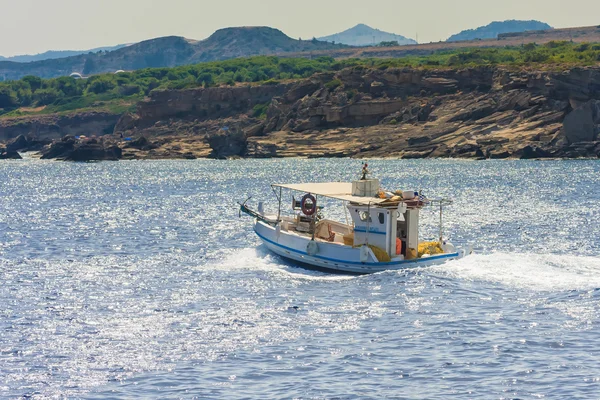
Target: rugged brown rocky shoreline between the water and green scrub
476, 113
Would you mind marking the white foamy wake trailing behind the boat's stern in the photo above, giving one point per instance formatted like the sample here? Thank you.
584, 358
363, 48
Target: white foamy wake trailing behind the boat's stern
541, 272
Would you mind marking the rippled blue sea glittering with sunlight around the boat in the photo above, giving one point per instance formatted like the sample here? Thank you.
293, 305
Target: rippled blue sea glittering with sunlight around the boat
138, 280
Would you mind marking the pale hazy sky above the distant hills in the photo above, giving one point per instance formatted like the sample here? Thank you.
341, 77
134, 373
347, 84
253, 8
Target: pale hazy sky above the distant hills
34, 26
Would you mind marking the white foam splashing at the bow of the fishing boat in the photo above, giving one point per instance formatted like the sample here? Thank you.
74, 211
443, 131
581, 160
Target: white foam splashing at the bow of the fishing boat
261, 259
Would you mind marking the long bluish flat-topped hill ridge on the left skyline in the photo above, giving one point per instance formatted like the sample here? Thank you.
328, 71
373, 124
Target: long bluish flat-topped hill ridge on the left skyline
169, 51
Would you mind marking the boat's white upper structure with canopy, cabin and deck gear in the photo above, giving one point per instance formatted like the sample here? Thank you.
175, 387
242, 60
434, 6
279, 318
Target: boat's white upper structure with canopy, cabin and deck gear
389, 222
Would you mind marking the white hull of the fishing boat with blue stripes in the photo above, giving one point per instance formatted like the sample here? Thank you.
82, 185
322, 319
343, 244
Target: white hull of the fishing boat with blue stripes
335, 257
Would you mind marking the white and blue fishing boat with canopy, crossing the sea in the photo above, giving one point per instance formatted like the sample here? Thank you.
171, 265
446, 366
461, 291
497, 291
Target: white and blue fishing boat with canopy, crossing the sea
383, 233
